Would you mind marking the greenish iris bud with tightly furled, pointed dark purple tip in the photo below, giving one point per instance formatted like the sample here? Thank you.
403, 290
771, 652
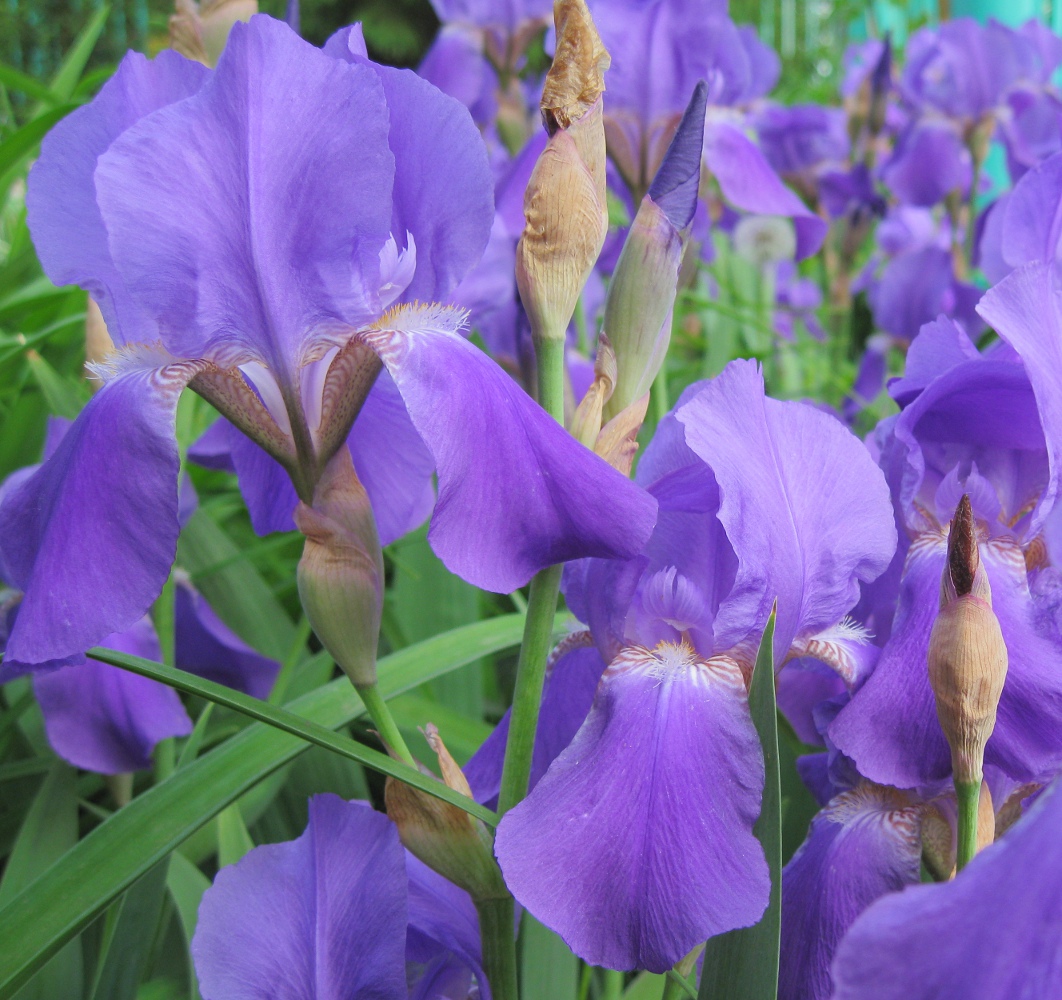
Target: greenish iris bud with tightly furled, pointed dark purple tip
638, 312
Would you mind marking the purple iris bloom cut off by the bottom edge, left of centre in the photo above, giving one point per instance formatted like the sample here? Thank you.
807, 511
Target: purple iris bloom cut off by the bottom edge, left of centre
341, 912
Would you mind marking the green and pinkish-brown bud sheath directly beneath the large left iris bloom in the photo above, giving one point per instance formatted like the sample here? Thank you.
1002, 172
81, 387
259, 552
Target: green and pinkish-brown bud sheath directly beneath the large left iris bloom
341, 573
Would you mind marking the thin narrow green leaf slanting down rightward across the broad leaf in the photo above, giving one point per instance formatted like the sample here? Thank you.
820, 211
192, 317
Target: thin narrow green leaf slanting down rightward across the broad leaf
289, 722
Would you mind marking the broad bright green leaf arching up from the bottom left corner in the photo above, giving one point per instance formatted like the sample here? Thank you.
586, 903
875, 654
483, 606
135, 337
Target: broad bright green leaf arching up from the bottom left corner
59, 905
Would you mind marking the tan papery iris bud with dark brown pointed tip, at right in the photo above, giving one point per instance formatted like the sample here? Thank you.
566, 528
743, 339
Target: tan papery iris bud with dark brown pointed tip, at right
968, 657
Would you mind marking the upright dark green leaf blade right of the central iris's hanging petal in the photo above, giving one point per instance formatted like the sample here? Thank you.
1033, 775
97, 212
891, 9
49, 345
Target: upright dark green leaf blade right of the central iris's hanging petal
745, 963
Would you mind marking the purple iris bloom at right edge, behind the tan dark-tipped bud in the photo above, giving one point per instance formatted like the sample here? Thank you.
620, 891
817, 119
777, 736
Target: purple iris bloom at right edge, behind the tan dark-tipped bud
985, 425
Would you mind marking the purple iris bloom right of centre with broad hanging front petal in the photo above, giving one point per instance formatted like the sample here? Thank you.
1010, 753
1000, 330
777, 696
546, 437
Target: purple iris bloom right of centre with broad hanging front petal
760, 501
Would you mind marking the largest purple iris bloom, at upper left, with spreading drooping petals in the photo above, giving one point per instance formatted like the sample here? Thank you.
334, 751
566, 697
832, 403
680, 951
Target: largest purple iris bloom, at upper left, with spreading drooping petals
249, 233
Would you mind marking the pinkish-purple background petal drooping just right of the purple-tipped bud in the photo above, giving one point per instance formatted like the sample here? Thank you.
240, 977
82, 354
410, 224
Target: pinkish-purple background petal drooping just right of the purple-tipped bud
748, 183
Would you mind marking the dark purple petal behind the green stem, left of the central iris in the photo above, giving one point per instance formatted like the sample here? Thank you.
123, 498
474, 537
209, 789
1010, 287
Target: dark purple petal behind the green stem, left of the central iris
571, 684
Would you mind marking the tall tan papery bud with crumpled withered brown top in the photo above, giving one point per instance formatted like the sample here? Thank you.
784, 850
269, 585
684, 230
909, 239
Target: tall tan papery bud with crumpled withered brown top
564, 206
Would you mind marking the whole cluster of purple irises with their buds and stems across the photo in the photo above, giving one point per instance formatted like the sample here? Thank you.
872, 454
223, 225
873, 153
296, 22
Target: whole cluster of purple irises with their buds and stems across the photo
306, 238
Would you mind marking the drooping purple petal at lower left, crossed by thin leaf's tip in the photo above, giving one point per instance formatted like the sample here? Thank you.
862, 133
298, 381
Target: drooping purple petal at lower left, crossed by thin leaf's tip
109, 720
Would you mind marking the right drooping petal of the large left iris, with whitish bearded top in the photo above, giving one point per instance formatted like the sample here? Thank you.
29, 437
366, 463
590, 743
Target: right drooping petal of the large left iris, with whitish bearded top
517, 493
